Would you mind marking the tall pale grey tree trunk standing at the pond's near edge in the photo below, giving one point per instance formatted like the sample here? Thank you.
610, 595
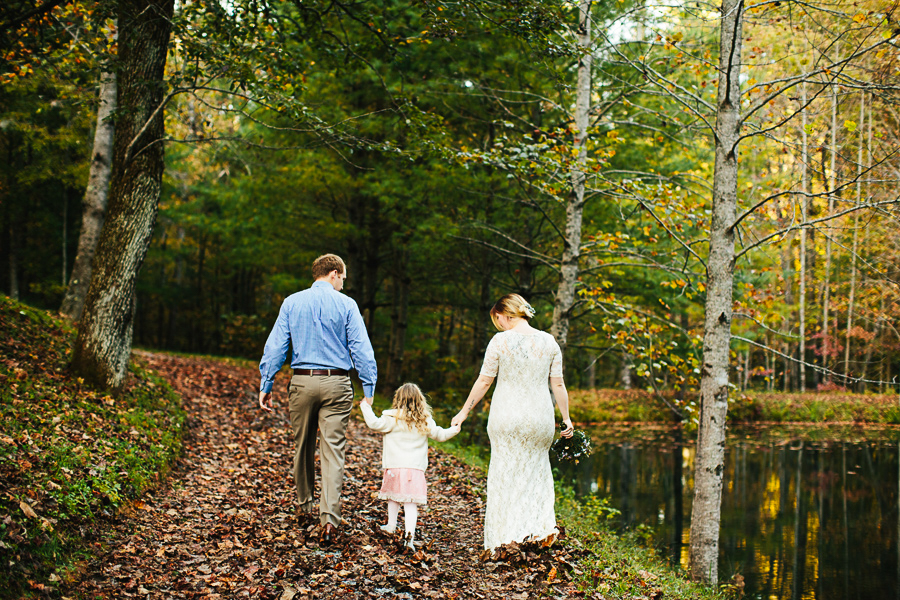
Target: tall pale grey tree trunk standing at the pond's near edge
710, 460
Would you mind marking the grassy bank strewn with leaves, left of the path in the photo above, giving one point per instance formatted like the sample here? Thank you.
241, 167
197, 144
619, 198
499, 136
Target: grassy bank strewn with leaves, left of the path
70, 456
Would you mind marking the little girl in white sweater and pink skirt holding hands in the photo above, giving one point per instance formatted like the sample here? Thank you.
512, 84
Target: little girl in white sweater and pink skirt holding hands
407, 427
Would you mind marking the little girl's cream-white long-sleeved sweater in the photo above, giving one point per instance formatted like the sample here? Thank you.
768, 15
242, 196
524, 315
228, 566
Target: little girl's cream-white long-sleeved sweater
404, 448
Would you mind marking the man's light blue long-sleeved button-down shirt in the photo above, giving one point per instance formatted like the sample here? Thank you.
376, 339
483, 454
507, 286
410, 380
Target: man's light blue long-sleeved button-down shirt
326, 331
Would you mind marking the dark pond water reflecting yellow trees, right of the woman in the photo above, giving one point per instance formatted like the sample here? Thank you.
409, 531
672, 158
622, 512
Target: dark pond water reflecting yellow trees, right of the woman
806, 513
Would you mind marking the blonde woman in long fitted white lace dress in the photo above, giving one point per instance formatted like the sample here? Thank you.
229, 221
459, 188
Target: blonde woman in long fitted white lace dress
521, 424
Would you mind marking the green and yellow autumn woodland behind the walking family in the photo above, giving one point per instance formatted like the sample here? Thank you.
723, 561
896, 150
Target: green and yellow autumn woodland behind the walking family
430, 143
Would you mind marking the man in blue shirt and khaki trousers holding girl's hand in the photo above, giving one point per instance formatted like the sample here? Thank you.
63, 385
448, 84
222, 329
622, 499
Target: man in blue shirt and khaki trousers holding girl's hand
328, 338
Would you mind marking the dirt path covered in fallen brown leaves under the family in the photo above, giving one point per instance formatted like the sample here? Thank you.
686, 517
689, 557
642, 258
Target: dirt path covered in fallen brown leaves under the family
224, 525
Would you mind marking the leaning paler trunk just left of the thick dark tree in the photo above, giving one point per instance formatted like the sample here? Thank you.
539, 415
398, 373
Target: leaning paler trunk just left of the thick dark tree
94, 201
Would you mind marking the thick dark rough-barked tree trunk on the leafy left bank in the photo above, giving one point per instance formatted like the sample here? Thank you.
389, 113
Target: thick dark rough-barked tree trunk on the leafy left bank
103, 345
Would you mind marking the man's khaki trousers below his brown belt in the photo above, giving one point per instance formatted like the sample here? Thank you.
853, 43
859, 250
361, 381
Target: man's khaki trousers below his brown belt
322, 403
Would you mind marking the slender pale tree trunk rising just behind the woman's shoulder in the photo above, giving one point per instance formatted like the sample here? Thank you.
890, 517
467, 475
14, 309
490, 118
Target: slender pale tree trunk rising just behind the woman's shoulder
568, 277
